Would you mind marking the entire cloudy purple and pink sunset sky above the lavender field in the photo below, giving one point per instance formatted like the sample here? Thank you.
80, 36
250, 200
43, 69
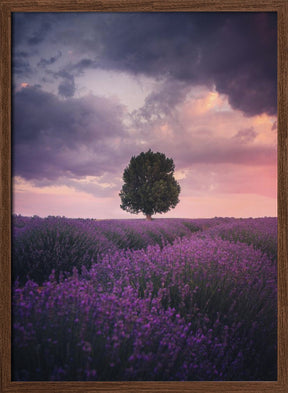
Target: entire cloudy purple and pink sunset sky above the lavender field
90, 90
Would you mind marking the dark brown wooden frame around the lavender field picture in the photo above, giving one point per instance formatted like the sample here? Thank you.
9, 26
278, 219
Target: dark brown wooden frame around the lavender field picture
9, 6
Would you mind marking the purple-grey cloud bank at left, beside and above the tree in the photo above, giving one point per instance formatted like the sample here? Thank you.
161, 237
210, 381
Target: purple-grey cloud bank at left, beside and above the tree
72, 137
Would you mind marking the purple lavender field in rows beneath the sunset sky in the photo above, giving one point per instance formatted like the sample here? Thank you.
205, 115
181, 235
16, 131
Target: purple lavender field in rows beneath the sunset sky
166, 300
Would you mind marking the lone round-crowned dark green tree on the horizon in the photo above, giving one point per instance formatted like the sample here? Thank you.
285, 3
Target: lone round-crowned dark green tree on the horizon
149, 185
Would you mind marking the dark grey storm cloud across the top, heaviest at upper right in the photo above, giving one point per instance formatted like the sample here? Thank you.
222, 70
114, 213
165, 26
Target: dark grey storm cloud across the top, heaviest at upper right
236, 52
